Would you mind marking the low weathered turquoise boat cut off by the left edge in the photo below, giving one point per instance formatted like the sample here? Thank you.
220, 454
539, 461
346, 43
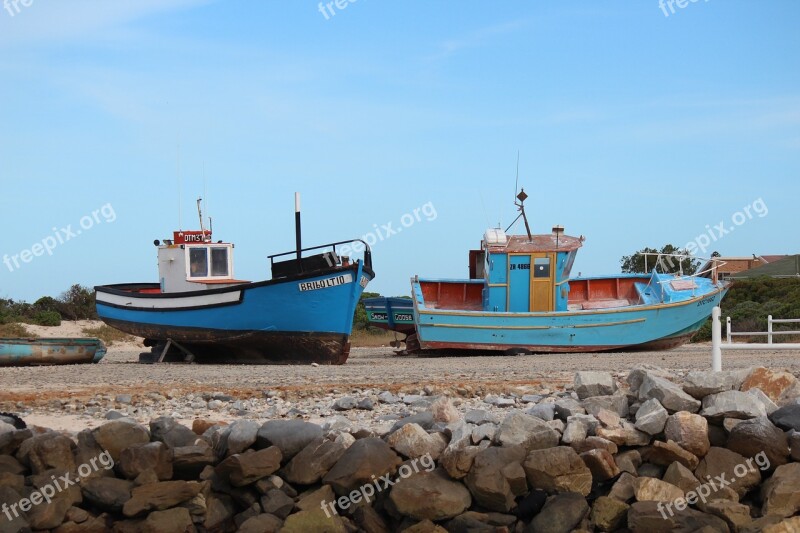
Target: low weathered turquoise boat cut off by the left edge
50, 351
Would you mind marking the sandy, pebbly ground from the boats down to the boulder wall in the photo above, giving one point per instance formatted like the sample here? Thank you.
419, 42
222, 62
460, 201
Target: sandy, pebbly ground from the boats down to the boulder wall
80, 396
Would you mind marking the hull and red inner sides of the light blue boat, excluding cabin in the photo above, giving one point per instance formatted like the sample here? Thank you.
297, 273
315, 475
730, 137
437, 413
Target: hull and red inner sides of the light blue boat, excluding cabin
617, 313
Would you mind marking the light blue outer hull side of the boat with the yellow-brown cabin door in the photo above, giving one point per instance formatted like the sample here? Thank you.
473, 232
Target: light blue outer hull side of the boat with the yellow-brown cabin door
634, 327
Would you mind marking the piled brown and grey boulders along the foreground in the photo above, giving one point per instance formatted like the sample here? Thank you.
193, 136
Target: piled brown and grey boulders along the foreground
651, 451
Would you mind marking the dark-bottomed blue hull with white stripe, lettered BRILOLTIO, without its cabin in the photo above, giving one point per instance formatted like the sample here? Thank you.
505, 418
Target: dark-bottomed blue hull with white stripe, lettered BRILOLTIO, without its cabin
304, 318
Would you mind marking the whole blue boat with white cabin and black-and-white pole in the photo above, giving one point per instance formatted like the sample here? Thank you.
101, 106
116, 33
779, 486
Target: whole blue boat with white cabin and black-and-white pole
199, 311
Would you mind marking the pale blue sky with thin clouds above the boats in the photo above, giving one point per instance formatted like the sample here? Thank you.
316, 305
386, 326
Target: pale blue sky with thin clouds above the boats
634, 128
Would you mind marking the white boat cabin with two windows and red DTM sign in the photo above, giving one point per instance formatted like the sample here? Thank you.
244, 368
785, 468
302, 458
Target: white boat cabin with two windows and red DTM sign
192, 262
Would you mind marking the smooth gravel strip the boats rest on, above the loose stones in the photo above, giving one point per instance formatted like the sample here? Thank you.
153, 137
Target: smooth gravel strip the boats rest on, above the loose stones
120, 372
